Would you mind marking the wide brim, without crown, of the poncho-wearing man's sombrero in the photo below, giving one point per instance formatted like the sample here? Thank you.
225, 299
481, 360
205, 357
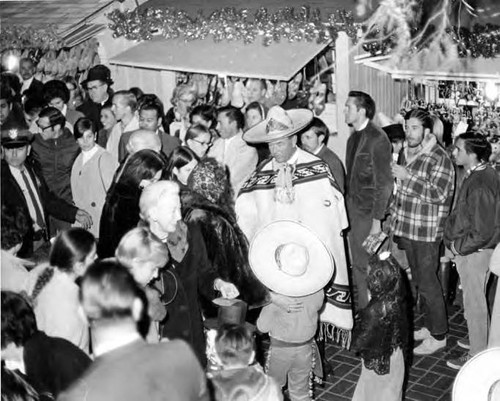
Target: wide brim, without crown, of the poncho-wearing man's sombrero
258, 134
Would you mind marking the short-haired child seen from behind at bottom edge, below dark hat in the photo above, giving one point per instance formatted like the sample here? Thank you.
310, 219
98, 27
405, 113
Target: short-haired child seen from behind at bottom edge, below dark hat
240, 378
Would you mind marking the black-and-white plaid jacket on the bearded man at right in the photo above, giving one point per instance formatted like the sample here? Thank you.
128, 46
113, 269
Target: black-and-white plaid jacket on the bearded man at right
422, 202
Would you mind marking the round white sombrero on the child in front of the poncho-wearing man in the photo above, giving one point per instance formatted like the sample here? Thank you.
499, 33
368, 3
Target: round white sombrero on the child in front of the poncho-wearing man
290, 259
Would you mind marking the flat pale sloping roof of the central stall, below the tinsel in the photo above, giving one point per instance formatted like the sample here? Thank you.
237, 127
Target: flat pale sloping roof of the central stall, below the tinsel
280, 61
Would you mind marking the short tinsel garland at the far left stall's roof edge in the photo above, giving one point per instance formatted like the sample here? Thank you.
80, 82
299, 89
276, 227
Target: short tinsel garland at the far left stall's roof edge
23, 37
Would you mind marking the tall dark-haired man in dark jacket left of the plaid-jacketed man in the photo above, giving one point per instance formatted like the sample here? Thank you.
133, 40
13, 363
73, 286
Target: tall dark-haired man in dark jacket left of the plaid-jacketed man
369, 182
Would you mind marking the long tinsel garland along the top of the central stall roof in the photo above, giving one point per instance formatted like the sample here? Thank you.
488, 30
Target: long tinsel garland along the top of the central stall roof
231, 24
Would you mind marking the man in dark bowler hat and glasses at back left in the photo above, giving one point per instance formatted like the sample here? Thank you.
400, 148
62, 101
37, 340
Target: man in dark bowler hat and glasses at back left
98, 87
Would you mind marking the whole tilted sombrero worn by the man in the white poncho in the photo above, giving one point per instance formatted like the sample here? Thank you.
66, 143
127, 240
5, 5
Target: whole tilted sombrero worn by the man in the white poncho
280, 123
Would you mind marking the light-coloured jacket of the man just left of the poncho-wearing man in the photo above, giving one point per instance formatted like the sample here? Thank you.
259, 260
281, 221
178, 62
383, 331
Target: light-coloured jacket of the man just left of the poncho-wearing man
240, 159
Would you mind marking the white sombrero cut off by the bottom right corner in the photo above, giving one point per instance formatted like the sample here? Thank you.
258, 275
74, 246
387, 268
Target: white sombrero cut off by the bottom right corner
479, 378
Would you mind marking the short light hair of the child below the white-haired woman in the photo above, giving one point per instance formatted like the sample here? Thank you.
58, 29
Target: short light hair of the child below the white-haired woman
141, 244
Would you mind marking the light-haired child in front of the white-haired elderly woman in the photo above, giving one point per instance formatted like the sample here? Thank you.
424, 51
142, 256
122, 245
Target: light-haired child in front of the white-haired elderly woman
144, 254
